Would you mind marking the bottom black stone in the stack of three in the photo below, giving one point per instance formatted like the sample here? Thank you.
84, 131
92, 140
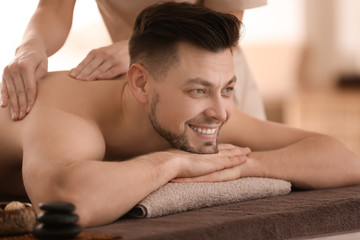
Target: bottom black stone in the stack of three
49, 232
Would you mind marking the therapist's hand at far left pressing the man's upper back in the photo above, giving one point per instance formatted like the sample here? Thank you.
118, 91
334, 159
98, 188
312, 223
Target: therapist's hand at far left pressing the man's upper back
18, 89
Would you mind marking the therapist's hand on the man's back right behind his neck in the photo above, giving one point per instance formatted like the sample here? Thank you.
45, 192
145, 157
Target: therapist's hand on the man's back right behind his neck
103, 63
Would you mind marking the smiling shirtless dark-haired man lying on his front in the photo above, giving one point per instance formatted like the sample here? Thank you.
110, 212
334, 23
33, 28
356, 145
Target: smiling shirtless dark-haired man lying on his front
105, 145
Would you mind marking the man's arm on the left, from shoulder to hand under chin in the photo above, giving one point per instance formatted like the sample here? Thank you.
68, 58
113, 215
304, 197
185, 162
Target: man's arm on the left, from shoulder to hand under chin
62, 160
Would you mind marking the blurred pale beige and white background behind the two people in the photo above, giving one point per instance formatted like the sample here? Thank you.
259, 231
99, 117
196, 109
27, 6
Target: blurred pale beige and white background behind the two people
304, 55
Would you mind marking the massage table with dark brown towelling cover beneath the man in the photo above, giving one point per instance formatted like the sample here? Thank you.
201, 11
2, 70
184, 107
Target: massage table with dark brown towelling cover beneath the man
297, 215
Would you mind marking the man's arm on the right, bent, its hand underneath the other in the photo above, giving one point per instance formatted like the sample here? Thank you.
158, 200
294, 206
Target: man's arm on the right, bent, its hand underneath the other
308, 160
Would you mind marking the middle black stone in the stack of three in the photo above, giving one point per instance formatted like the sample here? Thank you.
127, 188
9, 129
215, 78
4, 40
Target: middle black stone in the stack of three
57, 218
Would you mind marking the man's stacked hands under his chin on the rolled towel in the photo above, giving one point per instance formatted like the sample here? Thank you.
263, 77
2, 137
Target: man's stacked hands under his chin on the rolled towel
202, 167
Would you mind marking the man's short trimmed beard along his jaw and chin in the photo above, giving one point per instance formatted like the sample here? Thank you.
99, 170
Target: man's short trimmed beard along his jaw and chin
178, 141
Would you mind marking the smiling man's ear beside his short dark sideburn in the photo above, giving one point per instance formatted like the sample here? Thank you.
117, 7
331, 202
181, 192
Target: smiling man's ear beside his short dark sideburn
137, 77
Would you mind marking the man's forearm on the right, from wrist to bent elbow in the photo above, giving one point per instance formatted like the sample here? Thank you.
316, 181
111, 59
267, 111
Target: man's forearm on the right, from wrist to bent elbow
314, 162
